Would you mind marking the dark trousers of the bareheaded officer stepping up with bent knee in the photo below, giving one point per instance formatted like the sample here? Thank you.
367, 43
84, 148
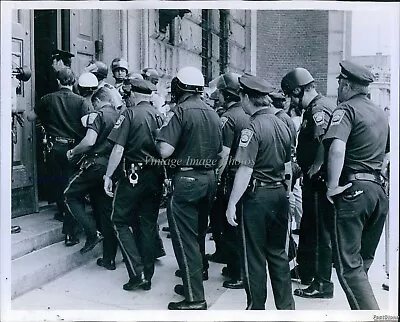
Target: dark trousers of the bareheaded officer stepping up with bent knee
90, 181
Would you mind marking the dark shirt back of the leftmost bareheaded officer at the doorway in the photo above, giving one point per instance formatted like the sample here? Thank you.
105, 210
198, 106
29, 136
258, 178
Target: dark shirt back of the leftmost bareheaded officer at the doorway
61, 112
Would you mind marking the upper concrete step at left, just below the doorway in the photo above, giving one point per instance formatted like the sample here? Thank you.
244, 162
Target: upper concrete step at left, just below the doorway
38, 230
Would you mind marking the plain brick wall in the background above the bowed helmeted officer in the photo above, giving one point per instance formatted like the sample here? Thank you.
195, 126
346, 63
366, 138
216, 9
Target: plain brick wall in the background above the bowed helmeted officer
293, 38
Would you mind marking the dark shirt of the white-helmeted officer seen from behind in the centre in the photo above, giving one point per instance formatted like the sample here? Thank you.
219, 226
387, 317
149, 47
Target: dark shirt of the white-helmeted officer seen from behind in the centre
193, 128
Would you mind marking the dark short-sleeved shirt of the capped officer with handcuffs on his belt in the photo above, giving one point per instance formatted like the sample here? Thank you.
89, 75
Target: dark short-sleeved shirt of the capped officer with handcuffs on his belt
135, 131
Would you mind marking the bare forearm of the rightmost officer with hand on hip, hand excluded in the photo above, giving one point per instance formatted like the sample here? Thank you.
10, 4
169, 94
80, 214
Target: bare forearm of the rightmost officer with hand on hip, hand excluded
335, 162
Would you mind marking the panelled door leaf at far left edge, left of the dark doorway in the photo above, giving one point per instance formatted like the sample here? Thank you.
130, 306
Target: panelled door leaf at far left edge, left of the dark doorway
24, 192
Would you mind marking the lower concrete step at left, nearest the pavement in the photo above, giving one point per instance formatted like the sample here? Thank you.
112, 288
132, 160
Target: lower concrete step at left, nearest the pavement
44, 265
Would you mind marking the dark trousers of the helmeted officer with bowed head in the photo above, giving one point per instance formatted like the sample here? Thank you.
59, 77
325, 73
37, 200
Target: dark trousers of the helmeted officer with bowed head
314, 254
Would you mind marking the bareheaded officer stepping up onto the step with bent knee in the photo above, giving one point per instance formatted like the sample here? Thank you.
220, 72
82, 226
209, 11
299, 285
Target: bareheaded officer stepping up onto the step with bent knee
95, 149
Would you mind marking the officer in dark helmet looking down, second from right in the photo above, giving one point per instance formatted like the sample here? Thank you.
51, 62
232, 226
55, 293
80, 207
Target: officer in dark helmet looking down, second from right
314, 254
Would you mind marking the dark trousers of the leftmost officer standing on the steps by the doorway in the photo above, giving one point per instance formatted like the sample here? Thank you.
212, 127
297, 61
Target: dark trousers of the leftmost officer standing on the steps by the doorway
60, 171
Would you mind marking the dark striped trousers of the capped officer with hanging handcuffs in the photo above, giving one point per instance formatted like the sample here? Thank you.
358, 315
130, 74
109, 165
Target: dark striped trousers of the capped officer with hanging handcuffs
143, 202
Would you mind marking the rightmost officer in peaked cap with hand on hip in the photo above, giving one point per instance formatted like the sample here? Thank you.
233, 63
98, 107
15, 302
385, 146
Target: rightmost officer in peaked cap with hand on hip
357, 138
